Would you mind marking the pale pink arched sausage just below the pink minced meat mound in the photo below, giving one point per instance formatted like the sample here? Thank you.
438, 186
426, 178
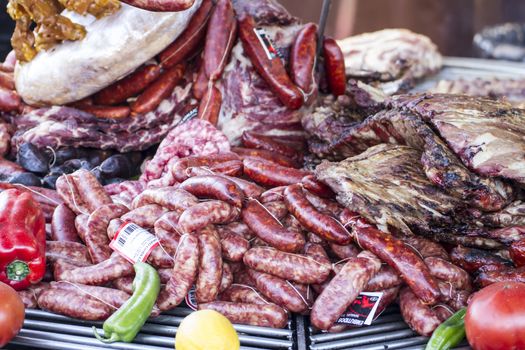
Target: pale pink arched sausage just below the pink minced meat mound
168, 197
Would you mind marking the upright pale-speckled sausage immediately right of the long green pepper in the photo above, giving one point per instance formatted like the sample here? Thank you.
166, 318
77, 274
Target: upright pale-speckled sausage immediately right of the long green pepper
183, 274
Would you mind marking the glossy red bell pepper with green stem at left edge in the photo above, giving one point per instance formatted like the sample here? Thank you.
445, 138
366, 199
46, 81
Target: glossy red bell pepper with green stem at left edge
22, 239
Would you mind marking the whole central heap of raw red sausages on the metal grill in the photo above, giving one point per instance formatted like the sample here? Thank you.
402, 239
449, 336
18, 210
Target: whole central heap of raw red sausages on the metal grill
258, 238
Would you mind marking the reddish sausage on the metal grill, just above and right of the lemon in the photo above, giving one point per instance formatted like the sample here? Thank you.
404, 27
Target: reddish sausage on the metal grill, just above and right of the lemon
269, 315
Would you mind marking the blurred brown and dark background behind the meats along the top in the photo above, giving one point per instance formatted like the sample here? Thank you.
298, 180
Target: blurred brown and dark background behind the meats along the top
451, 24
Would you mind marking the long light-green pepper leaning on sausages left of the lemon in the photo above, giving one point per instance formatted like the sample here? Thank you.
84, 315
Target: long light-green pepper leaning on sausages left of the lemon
127, 321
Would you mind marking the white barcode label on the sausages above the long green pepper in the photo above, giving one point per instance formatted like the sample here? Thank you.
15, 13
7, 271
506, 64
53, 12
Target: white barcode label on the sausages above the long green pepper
133, 242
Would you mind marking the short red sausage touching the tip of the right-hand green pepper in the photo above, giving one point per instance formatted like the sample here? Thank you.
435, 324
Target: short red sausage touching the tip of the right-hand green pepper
420, 317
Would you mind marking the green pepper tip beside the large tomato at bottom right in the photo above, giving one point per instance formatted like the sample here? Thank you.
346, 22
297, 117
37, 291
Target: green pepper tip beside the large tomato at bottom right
450, 333
